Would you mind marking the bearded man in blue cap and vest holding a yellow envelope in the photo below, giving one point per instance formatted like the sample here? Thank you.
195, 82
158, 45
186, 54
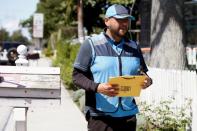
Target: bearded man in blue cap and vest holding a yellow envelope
109, 54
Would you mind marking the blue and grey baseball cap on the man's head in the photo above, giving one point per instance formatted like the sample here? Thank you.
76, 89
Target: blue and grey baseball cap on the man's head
118, 12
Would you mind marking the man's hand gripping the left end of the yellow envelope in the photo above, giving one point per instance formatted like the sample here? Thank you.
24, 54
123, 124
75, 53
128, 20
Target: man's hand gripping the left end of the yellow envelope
107, 89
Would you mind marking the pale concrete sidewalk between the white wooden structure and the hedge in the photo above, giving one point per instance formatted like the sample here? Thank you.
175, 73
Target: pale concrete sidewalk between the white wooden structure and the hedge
66, 117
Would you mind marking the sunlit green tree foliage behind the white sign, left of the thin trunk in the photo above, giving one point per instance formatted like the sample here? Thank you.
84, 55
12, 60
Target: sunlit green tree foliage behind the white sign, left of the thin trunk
57, 14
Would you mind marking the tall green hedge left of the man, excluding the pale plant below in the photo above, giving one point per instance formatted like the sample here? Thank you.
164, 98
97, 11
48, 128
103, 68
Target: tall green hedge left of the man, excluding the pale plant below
65, 57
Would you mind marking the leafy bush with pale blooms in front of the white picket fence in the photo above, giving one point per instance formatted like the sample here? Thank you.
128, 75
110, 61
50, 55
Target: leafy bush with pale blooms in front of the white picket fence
164, 116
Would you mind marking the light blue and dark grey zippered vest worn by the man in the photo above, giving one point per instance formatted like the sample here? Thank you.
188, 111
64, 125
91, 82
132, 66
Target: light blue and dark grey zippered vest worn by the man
109, 60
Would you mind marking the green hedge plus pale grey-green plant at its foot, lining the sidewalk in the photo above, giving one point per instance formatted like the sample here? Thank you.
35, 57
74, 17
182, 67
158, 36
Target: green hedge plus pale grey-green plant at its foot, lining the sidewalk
65, 57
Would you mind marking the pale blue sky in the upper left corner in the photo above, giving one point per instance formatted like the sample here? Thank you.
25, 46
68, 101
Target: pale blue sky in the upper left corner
14, 11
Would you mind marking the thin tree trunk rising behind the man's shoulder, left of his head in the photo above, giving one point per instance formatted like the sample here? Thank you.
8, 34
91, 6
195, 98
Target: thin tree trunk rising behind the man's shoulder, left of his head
80, 21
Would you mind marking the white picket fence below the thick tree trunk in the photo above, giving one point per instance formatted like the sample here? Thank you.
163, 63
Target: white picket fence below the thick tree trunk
173, 83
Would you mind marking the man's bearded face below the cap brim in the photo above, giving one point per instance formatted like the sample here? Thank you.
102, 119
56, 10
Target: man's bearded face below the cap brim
119, 27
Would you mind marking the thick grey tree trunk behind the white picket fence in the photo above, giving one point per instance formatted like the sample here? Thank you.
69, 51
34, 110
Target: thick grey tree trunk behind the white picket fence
167, 35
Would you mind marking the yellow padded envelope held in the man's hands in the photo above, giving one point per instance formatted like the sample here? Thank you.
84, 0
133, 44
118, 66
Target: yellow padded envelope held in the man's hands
128, 85
